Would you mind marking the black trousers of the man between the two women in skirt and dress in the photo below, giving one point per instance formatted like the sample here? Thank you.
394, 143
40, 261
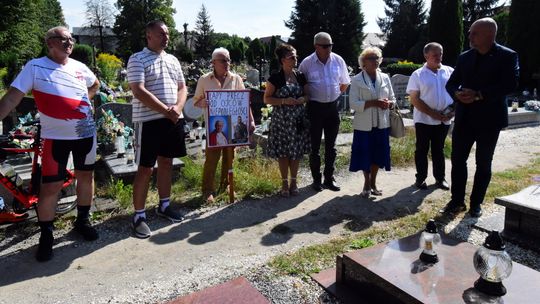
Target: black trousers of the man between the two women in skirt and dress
323, 117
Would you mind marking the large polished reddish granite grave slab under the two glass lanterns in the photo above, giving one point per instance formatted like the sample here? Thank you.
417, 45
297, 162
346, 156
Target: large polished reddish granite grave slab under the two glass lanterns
392, 273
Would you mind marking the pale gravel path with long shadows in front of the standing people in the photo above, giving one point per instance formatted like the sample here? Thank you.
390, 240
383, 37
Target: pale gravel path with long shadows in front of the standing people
213, 246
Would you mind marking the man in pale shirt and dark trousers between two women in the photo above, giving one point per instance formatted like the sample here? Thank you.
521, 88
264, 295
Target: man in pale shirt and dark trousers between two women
327, 77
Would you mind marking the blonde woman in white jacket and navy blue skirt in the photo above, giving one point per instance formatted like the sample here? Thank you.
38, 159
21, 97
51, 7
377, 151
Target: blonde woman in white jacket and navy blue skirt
371, 96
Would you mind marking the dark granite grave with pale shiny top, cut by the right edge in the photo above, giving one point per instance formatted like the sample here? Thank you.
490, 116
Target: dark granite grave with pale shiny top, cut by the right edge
522, 216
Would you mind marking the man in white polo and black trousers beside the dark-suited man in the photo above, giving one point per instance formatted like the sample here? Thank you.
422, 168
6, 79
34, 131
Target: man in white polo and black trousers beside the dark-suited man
432, 114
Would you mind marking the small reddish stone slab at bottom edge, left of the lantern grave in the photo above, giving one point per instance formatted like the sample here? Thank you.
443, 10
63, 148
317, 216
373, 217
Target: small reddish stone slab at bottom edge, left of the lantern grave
237, 291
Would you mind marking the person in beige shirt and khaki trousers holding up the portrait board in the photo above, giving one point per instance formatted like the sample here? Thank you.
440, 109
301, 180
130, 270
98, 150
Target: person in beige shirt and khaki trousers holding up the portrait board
221, 78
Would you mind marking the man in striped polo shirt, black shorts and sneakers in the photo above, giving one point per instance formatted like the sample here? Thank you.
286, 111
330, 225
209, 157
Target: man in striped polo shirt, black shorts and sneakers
159, 91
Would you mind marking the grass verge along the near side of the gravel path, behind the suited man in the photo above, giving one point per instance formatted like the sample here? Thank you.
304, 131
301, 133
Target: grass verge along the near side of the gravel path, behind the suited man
314, 258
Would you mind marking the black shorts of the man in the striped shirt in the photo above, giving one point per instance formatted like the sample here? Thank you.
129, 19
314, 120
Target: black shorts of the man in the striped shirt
160, 137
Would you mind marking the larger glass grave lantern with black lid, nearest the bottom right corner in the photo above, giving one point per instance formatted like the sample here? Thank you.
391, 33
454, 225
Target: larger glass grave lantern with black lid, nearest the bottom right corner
493, 264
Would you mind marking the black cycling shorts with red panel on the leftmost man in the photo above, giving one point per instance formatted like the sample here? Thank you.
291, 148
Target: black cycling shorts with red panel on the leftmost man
56, 153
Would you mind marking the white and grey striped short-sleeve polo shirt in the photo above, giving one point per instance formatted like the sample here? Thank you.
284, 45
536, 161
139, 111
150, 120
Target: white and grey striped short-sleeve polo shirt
160, 73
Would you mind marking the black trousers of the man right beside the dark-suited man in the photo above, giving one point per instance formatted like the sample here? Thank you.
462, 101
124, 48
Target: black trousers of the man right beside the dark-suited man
430, 136
